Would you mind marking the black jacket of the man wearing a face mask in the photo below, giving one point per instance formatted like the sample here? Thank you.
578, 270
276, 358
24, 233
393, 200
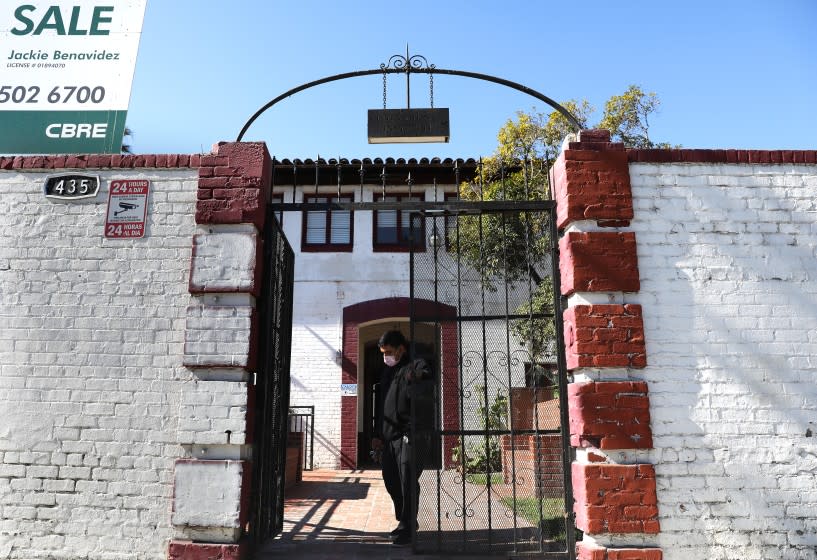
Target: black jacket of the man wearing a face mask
411, 378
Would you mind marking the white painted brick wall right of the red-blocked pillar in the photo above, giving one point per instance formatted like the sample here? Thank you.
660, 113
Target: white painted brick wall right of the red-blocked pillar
728, 264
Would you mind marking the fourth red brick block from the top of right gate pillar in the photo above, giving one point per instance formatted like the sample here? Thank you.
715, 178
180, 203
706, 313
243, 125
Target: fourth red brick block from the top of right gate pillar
609, 415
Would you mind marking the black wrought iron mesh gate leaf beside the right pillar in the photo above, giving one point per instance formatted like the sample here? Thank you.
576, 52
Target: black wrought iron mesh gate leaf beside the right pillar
496, 458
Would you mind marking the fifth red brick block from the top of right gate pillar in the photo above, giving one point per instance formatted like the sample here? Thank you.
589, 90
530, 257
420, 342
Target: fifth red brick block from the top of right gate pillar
615, 498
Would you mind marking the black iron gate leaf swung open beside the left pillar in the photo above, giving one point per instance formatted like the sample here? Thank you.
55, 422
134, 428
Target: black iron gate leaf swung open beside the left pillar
272, 385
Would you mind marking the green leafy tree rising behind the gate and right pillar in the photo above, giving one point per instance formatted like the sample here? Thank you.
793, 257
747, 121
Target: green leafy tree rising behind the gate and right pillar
505, 248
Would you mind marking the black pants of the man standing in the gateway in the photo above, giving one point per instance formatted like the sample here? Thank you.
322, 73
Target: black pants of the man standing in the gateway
402, 483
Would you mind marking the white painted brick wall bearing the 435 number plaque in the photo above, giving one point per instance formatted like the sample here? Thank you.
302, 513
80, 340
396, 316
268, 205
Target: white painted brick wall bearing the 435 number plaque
91, 345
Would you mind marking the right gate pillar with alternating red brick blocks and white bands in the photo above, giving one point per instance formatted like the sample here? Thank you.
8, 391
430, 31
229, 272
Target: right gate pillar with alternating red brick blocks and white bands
604, 347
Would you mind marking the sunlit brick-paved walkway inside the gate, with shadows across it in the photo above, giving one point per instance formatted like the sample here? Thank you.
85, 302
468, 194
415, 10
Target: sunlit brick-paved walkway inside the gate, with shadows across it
347, 514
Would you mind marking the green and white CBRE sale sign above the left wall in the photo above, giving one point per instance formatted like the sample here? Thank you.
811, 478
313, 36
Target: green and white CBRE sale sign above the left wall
66, 69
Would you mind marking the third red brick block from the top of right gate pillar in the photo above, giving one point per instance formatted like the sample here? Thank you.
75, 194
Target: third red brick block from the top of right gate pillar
604, 336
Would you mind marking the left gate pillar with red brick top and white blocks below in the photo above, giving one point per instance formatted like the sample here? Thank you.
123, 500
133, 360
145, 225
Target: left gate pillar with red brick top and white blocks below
212, 486
